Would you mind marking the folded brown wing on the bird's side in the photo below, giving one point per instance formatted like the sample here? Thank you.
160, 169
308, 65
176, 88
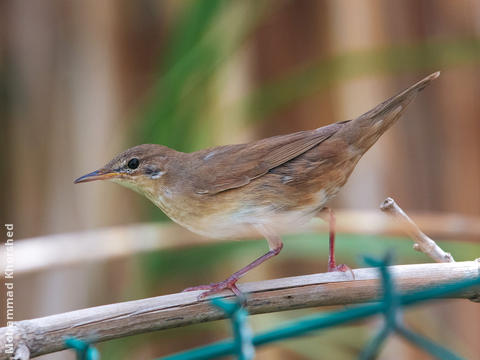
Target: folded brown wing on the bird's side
233, 166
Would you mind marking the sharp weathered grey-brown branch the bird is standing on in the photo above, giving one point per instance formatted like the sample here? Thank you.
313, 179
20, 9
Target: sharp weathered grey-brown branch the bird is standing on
47, 334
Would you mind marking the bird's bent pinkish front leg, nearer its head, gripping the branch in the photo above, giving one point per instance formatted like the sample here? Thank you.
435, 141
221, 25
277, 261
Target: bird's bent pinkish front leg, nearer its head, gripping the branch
275, 245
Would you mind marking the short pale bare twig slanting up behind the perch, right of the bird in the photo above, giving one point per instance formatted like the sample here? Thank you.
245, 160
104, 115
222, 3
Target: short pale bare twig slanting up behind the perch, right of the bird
422, 242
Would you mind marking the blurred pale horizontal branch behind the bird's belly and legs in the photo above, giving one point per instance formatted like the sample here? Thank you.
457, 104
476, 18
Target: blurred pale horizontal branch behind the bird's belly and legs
47, 252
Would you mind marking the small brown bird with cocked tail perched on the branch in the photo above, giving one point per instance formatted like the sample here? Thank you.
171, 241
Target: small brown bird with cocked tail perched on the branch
264, 187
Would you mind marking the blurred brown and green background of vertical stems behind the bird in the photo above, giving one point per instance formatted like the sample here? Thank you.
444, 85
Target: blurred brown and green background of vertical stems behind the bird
81, 81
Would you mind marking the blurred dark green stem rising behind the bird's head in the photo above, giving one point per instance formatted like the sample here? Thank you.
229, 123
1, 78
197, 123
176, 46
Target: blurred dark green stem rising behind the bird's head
166, 119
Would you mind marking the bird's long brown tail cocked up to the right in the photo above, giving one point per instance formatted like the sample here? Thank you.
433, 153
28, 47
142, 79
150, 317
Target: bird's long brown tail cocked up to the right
365, 130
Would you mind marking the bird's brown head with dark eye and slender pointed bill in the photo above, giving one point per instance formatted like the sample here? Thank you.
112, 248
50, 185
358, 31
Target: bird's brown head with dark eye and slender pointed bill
138, 168
